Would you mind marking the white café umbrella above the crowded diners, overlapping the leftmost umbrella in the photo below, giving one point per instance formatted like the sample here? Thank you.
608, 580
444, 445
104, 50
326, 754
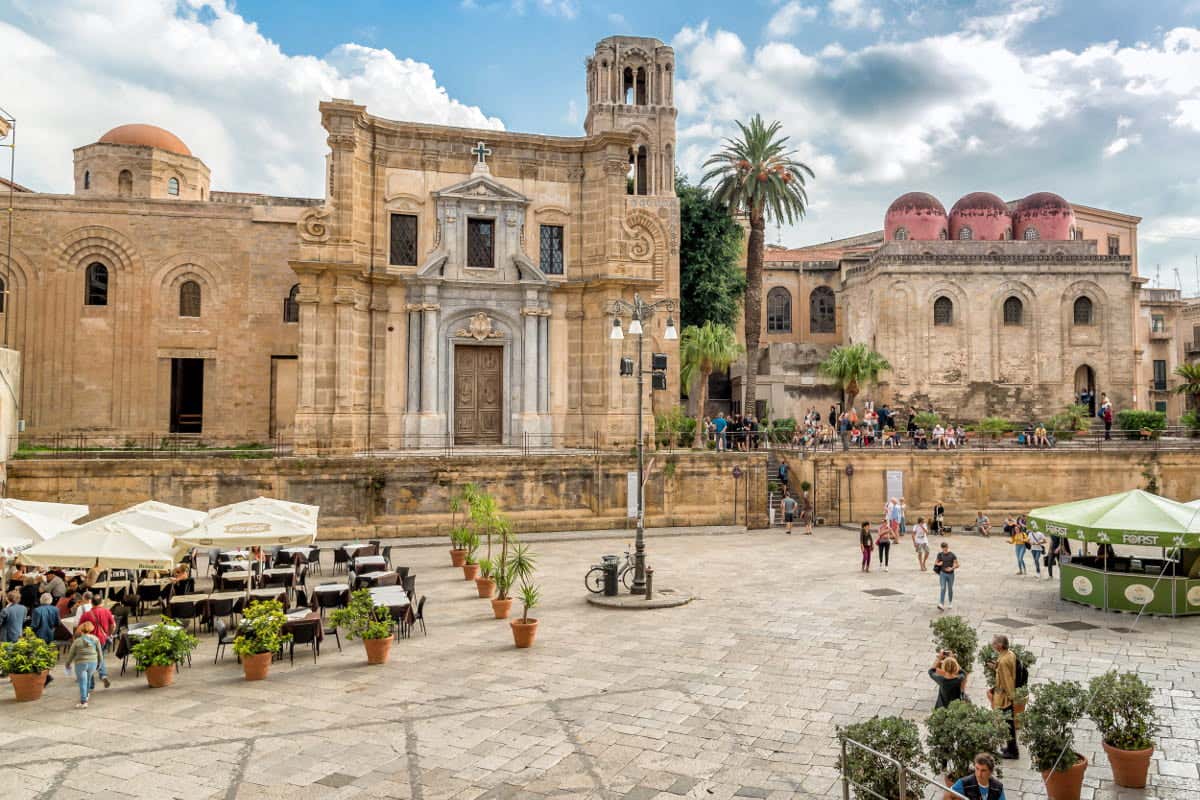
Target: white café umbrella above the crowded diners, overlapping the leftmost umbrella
112, 545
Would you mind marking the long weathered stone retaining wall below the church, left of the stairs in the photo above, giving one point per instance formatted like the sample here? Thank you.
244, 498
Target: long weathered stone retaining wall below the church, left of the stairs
410, 497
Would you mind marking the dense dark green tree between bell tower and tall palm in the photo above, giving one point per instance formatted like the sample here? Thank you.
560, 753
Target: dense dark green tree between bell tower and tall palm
711, 281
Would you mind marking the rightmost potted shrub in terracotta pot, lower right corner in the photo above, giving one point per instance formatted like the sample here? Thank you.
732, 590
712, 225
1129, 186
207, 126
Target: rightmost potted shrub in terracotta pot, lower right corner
1124, 714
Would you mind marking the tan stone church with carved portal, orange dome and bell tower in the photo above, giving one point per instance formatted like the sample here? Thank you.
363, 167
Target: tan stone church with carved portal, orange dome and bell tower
453, 287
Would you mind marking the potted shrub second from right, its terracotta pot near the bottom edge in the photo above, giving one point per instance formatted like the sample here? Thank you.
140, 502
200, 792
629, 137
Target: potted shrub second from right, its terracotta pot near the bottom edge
1049, 733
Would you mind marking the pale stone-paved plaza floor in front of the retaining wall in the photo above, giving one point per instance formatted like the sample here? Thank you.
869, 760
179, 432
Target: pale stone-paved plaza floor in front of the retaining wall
735, 696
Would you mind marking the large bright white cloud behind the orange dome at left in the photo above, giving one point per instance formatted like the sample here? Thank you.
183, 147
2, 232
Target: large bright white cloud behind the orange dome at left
199, 69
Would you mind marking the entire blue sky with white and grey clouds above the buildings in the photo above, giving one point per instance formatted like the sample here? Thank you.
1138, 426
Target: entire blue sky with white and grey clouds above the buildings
1095, 100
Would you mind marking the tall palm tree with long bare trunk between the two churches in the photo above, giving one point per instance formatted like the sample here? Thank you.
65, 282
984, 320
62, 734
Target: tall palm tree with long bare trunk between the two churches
757, 176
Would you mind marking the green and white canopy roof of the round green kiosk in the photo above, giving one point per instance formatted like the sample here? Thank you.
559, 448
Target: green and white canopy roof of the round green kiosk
1133, 518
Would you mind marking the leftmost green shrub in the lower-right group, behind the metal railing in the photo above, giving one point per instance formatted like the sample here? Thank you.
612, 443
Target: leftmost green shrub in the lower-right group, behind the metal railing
893, 737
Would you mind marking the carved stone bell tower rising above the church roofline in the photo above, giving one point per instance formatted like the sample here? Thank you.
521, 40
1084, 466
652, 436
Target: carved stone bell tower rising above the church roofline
632, 89
